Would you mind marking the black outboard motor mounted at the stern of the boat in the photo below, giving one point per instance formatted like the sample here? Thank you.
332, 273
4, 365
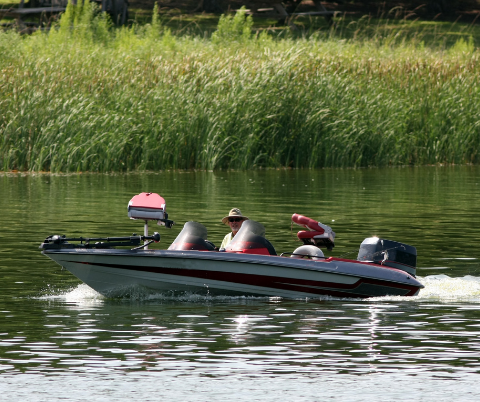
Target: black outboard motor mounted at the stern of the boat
390, 253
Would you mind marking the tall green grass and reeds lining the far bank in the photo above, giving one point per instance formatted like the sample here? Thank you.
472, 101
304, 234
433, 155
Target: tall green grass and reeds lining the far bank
86, 97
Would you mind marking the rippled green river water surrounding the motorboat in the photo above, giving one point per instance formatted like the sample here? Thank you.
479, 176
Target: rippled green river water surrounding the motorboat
60, 340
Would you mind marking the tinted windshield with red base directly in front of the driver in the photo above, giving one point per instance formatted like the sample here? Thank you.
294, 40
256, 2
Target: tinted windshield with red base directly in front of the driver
250, 239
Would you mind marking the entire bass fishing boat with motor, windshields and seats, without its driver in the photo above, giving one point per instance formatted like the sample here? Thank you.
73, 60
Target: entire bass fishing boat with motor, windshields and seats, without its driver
250, 265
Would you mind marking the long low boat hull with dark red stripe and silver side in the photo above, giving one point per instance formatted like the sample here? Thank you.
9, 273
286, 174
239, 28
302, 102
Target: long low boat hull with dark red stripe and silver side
116, 272
